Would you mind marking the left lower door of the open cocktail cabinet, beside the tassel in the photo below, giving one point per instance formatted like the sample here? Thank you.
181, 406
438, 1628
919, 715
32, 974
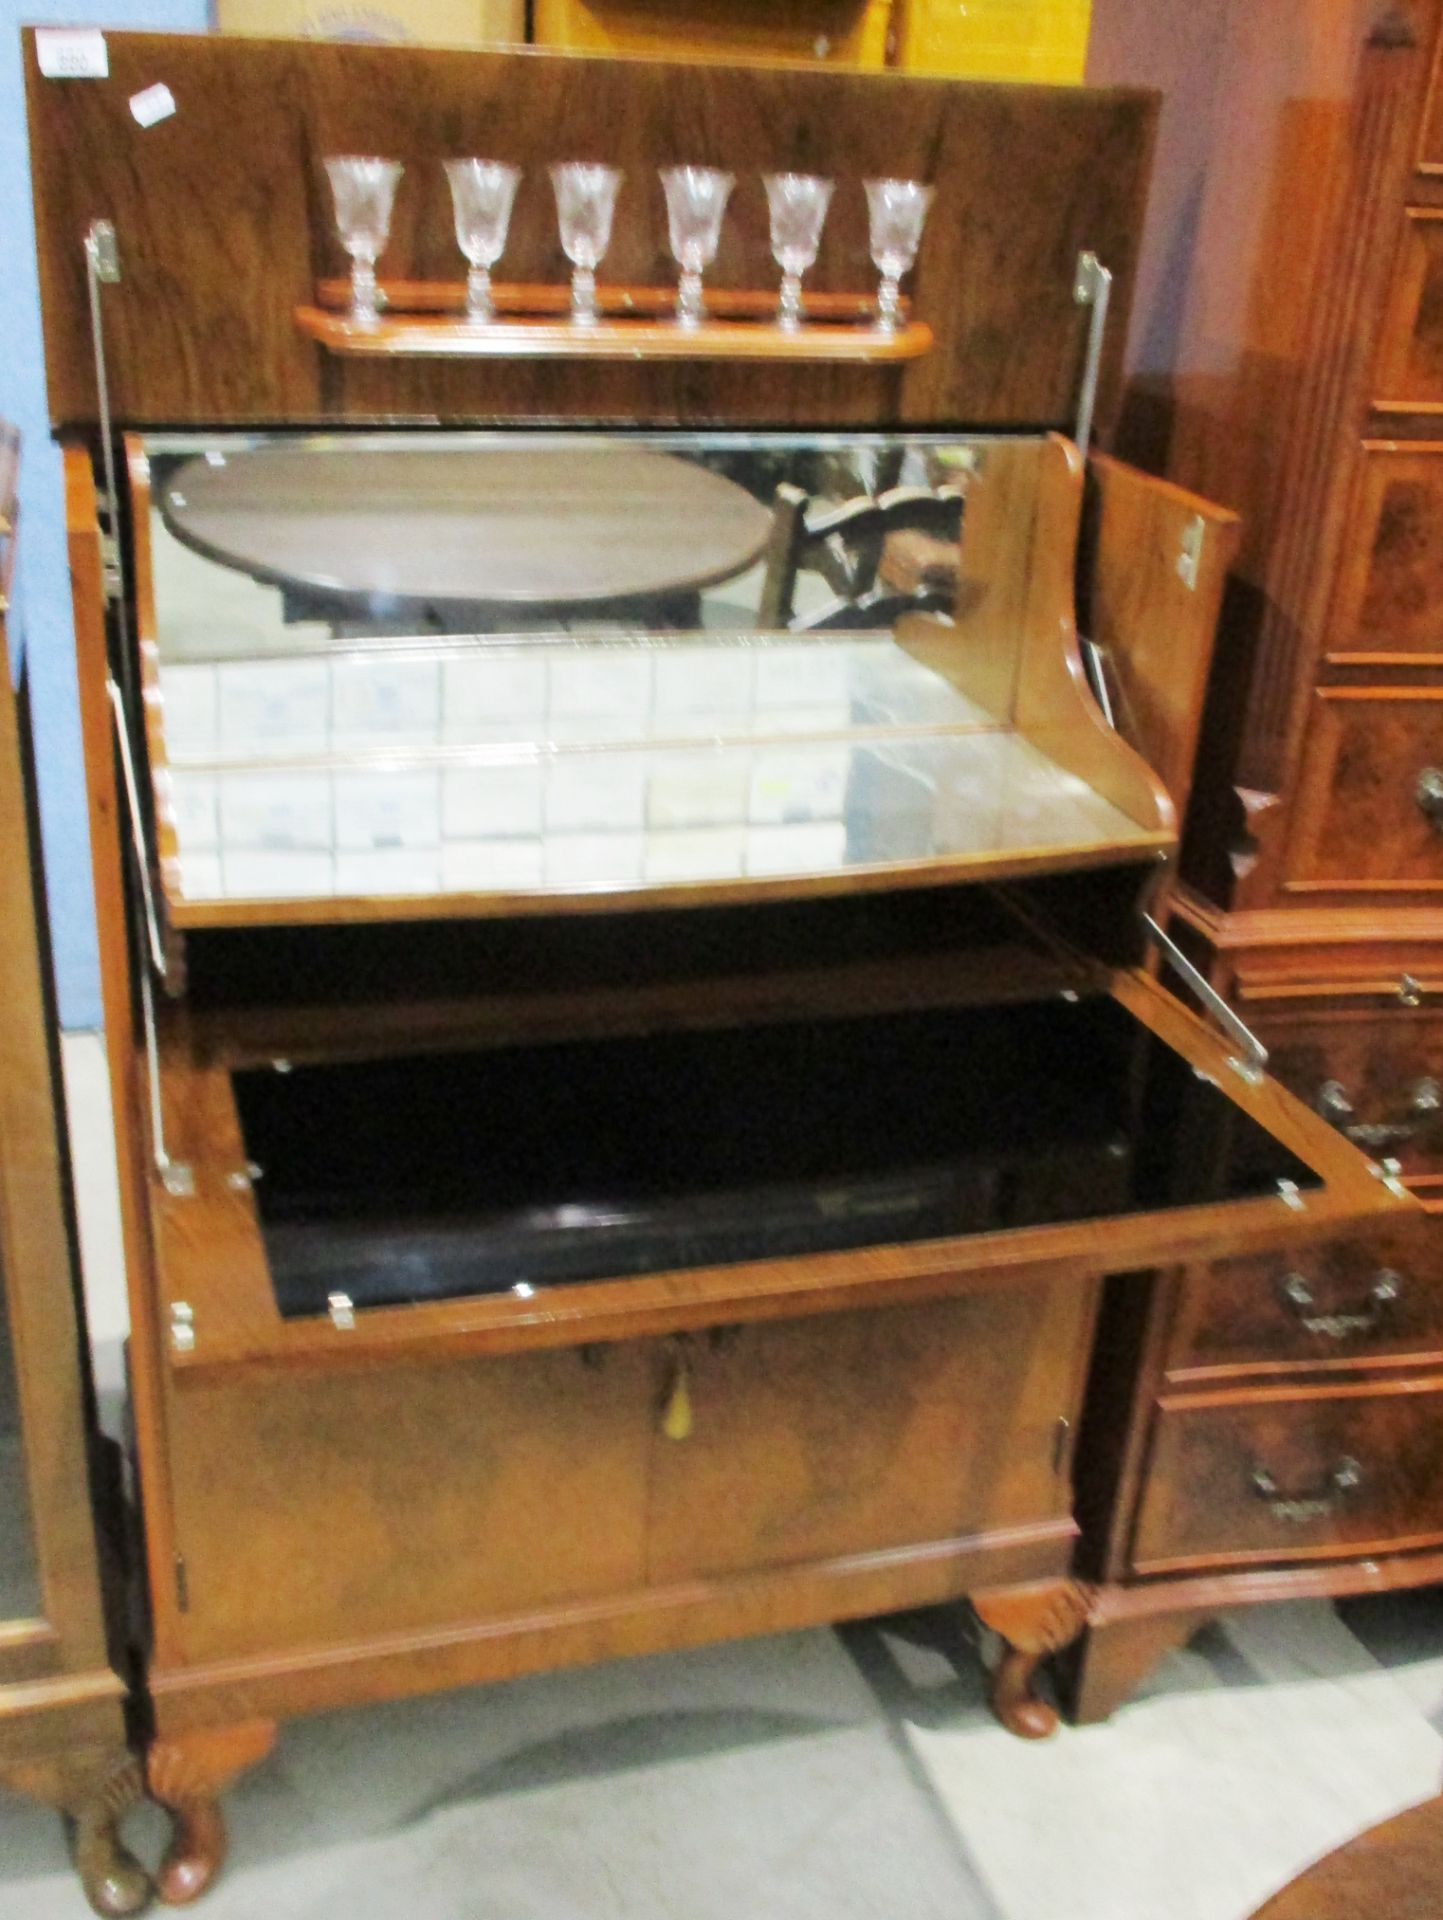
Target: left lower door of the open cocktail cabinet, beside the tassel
341, 1508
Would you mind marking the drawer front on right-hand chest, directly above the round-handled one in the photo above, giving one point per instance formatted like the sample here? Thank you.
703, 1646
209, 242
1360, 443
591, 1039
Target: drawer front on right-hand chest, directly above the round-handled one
1390, 594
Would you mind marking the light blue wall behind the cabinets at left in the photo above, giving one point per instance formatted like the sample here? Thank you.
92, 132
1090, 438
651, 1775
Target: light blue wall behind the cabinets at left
43, 610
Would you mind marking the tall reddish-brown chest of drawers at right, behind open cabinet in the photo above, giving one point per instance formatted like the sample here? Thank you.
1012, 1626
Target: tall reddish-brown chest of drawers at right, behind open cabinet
1292, 372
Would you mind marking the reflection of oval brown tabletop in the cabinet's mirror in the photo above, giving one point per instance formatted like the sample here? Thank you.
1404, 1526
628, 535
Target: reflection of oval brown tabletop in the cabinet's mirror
496, 531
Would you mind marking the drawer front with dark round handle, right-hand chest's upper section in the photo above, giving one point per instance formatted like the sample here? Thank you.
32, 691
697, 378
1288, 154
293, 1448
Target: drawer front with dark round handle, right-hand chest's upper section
1371, 794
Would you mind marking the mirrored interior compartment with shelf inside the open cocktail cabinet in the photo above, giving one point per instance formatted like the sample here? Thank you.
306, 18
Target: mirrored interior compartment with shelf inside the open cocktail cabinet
550, 663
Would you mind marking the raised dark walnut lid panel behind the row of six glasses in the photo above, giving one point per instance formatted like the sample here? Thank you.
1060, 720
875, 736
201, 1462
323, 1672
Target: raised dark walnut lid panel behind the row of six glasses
225, 226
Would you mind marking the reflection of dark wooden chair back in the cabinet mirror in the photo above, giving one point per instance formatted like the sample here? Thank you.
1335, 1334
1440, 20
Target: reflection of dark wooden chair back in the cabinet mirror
845, 546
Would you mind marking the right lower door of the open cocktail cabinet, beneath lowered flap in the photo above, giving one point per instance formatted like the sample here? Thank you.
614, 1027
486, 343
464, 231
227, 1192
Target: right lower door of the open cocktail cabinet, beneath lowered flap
864, 1431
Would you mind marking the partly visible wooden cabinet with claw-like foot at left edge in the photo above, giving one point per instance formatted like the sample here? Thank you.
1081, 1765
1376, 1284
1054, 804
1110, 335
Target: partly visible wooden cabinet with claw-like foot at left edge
62, 1696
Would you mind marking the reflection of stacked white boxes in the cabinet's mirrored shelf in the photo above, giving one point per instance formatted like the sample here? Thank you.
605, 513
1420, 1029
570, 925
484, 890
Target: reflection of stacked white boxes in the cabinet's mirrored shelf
605, 771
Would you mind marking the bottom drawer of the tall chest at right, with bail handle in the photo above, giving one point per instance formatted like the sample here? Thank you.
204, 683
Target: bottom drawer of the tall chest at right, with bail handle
1279, 1476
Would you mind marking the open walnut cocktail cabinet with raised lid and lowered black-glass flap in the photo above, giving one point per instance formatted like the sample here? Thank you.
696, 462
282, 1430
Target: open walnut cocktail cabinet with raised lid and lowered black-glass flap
625, 898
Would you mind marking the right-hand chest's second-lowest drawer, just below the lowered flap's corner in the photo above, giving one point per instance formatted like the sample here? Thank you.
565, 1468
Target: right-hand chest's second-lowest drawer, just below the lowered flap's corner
1335, 1305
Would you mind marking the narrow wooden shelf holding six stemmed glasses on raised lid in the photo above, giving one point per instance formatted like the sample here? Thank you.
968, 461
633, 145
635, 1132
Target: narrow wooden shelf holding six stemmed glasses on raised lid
427, 320
